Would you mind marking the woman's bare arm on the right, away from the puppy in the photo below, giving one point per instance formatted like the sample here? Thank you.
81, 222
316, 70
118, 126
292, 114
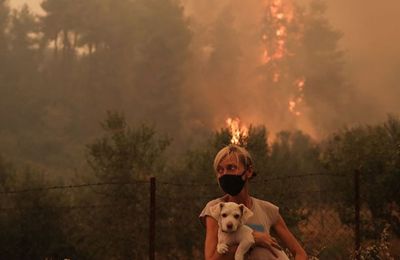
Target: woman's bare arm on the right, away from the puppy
290, 241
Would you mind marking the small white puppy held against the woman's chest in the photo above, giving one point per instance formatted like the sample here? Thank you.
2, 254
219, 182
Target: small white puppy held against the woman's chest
231, 229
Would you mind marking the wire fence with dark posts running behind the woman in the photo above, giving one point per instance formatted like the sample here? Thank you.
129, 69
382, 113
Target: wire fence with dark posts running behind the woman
158, 219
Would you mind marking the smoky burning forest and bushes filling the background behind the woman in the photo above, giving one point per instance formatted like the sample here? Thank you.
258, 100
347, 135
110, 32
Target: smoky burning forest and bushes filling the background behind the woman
97, 96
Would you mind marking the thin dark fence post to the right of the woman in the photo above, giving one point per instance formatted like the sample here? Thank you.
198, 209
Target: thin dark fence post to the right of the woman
357, 214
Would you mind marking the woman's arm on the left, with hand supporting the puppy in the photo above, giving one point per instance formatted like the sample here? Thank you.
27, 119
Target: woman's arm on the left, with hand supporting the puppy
210, 247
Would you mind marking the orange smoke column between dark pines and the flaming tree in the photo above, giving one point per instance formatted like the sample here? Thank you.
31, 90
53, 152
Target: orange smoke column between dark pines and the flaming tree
226, 80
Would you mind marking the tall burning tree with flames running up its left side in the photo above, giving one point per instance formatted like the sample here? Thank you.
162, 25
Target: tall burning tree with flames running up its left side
302, 68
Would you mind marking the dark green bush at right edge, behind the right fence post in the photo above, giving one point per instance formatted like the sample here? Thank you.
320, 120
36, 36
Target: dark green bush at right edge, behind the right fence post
374, 151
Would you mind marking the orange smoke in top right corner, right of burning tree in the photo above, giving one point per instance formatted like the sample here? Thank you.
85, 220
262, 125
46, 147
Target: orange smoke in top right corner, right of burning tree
372, 43
